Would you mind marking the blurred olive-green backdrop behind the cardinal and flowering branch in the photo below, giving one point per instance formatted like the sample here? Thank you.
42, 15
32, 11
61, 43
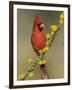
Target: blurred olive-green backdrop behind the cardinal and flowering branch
55, 55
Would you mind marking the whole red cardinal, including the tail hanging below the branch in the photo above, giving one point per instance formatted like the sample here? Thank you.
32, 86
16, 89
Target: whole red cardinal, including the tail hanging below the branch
38, 41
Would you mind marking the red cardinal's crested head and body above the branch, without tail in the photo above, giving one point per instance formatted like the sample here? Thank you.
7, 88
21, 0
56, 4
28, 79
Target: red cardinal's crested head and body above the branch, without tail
38, 35
